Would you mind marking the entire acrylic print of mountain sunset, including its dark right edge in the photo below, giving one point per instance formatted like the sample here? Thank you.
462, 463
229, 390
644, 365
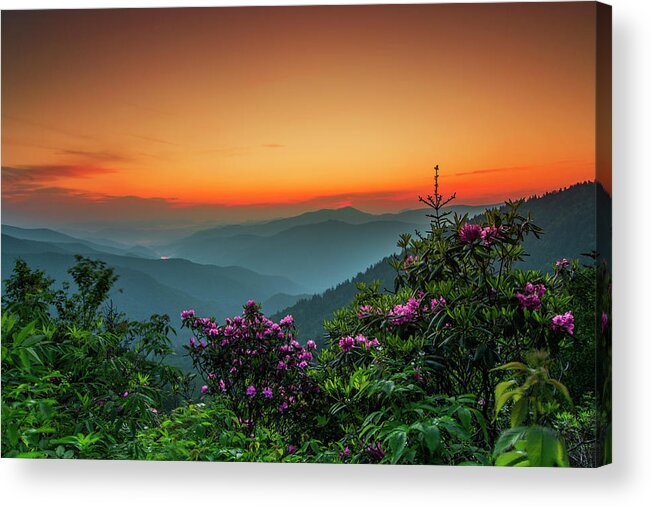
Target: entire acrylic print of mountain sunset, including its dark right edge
370, 234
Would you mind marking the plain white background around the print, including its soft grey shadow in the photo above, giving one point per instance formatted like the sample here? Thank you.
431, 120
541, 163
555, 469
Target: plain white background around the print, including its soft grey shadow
627, 482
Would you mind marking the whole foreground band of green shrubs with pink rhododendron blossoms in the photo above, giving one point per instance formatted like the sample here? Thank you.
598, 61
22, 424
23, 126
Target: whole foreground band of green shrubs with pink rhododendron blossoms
466, 359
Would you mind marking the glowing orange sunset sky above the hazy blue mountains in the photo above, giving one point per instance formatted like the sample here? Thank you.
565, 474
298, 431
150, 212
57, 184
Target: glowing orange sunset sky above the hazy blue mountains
326, 105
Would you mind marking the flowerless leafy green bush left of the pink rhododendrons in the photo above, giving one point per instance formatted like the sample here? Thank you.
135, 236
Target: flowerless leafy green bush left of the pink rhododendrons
80, 383
